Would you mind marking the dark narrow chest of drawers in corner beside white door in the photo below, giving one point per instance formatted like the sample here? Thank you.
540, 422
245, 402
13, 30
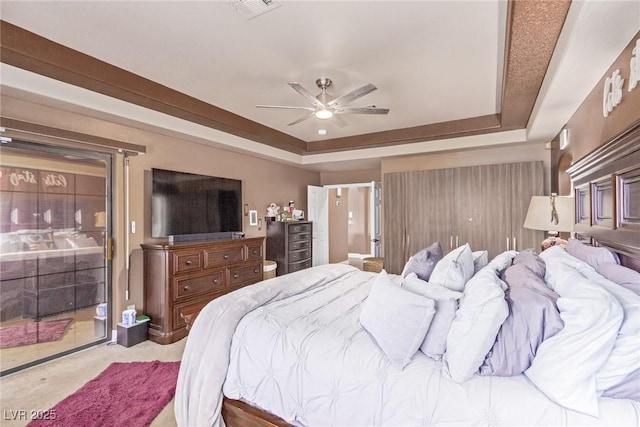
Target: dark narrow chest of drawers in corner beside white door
289, 245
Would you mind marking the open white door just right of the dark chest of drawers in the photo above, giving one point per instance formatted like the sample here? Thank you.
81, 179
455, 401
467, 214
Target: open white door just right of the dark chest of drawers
318, 212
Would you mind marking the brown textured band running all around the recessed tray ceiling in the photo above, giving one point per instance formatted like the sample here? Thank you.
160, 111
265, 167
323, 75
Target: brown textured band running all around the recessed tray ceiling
532, 32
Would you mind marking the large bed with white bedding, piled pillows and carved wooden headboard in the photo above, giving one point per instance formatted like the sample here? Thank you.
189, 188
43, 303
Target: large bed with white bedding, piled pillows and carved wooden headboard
331, 346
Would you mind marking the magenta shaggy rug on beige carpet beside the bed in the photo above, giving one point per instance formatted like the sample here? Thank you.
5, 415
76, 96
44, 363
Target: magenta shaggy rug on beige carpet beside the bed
124, 394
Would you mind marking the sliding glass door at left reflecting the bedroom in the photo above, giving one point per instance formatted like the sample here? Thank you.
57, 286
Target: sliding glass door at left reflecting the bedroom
54, 274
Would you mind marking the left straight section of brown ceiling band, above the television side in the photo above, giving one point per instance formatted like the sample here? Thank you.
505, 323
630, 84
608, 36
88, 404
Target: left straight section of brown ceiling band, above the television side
26, 50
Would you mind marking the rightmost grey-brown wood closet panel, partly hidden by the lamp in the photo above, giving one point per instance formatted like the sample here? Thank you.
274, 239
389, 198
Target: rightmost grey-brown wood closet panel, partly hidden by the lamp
527, 181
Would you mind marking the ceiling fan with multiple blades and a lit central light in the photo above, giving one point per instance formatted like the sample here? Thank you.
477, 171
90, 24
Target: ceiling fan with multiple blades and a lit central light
326, 106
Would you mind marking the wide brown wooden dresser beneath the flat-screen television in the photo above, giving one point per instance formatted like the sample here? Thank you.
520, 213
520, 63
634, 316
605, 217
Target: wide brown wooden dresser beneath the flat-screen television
180, 279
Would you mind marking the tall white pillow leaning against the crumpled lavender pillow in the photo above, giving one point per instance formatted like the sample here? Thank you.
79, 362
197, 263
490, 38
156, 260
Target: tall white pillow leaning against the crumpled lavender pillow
482, 311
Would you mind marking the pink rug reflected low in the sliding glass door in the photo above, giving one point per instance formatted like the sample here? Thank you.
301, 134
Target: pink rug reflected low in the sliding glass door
33, 332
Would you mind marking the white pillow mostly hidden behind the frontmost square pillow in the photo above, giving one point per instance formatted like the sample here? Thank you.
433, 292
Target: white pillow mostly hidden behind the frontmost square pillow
446, 304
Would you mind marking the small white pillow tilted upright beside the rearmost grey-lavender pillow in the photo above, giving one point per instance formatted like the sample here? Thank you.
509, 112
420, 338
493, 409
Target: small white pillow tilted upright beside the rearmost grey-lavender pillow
455, 269
